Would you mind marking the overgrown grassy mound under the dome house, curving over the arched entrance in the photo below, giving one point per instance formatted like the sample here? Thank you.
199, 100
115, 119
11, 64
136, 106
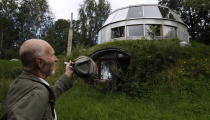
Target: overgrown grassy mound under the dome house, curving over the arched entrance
160, 65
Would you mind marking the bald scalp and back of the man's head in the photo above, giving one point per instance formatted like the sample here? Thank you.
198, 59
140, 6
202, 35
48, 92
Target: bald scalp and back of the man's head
31, 49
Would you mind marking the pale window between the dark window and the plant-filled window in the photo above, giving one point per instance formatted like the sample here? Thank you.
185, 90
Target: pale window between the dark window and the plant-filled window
137, 30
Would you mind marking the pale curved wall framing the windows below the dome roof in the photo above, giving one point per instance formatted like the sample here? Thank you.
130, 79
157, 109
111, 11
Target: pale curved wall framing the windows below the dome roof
105, 32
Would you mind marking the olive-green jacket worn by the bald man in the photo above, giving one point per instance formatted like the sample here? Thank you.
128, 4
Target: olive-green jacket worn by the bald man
28, 99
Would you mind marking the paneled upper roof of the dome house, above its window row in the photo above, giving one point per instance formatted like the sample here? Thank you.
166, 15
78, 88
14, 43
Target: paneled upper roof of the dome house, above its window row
141, 12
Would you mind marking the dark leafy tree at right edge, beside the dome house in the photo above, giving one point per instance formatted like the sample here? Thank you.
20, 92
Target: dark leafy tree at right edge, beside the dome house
197, 16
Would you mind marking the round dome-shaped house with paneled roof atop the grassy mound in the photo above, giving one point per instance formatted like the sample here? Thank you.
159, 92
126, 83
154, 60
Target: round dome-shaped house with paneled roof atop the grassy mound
148, 20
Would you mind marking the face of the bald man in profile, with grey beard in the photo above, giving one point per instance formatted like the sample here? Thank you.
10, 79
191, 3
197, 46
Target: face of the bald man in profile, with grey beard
49, 61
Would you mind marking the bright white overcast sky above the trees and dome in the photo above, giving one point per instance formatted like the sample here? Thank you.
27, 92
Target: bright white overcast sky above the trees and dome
62, 8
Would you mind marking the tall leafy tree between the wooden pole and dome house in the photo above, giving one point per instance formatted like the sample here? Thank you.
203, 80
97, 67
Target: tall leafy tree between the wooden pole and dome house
91, 16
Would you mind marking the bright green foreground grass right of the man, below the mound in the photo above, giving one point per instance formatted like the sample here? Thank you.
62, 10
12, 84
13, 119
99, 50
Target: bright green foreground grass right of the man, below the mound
85, 103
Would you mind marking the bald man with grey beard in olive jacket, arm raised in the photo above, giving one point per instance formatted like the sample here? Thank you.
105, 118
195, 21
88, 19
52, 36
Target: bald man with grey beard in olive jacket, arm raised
30, 97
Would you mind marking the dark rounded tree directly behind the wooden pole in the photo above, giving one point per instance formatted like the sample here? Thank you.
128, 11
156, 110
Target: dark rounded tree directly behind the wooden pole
57, 35
